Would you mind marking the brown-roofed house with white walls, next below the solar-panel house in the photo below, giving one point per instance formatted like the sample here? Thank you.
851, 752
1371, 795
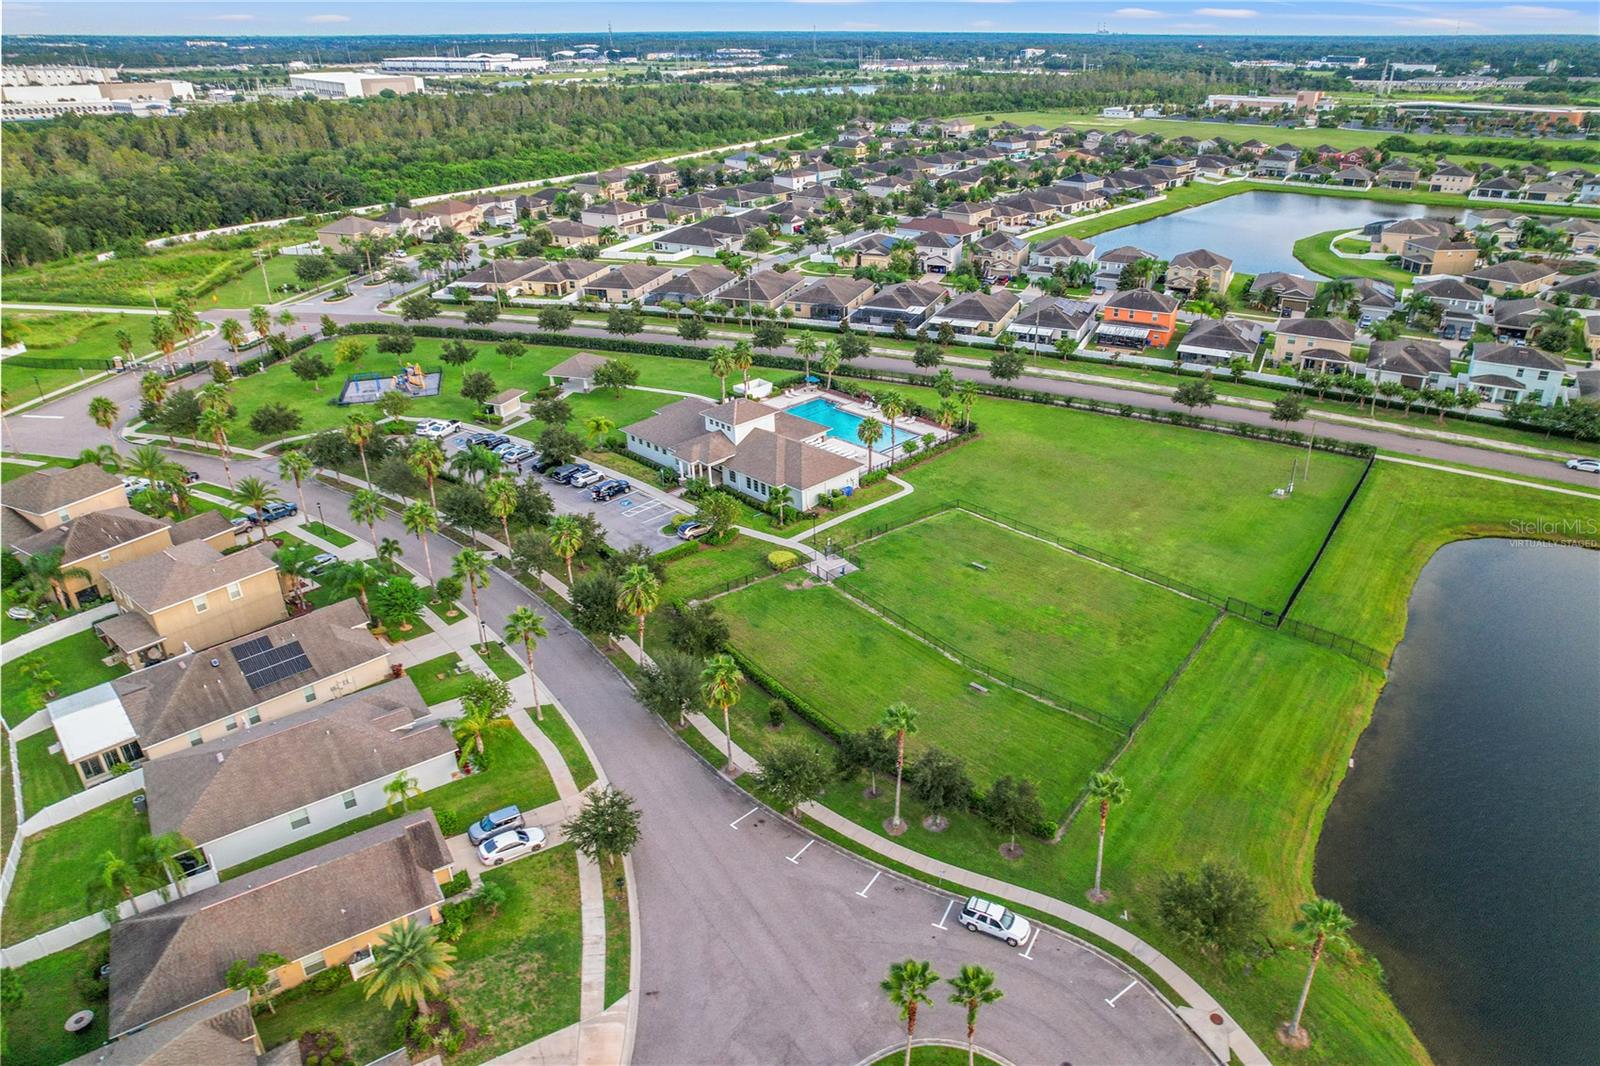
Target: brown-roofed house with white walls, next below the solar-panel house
281, 782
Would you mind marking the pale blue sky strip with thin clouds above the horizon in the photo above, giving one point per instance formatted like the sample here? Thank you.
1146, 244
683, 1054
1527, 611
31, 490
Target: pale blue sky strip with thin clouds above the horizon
223, 18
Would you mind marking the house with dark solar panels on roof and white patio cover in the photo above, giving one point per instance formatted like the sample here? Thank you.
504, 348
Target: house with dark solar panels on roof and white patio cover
212, 694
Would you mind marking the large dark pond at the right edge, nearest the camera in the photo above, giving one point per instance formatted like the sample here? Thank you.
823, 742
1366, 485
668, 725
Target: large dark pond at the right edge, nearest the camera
1466, 841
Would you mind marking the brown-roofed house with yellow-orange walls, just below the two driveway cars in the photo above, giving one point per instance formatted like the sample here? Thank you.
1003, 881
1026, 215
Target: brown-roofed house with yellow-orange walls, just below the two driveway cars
324, 908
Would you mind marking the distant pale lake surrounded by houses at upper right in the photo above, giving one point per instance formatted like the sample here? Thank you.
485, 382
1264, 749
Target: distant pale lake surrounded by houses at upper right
1258, 230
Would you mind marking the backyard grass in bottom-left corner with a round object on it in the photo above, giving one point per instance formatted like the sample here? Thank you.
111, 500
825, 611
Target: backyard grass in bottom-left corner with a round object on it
57, 988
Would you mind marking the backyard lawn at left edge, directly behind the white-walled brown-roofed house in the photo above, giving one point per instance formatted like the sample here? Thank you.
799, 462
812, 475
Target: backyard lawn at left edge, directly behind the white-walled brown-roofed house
58, 864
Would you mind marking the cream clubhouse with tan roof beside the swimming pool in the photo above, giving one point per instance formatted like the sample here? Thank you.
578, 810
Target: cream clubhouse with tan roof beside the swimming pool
746, 446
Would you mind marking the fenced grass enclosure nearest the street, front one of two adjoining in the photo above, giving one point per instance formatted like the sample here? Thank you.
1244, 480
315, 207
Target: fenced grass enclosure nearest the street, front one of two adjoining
852, 665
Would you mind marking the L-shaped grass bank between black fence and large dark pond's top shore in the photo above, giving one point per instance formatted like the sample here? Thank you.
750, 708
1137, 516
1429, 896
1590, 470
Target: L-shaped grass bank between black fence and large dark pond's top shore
1406, 515
